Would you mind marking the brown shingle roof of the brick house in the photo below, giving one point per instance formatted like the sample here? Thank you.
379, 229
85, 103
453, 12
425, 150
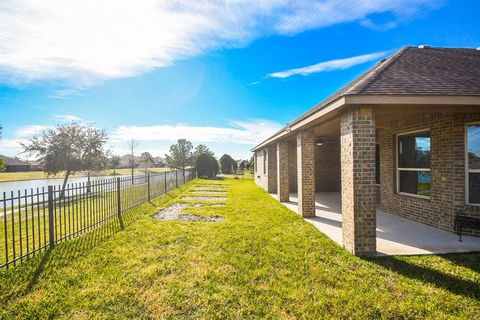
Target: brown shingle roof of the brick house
416, 71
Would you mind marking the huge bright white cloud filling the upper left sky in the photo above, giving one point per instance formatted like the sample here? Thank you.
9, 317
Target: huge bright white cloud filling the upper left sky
88, 41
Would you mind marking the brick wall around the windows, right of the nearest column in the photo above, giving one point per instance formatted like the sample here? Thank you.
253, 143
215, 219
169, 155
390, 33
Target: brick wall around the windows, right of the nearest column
447, 133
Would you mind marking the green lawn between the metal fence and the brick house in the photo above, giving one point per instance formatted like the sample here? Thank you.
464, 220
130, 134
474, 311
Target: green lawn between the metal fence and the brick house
264, 261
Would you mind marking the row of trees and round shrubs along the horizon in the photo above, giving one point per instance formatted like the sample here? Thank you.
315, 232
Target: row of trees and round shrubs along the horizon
76, 146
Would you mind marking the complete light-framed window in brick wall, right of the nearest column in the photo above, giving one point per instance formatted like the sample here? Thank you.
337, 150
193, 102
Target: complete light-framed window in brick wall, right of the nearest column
413, 164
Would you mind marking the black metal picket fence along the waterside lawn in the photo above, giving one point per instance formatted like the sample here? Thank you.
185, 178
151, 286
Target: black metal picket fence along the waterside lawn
37, 219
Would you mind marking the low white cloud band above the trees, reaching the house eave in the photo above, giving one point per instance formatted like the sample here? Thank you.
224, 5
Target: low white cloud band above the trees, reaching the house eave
240, 132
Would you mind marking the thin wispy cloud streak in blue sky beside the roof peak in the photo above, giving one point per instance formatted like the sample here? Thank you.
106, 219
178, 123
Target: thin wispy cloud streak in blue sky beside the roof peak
337, 64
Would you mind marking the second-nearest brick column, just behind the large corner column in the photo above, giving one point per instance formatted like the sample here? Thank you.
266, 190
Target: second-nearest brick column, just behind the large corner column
306, 172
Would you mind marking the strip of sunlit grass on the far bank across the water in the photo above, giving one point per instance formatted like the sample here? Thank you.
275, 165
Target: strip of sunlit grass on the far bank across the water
34, 175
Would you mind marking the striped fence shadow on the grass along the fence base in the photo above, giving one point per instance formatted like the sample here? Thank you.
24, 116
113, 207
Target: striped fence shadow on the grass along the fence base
19, 280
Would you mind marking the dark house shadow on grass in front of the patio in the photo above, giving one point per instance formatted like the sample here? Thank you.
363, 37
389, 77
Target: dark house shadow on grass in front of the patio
435, 277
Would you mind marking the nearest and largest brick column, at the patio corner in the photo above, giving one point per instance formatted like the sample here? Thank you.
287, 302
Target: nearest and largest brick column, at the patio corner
359, 220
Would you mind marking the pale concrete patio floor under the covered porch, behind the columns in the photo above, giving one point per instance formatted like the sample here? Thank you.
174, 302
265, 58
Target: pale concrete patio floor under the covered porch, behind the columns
395, 235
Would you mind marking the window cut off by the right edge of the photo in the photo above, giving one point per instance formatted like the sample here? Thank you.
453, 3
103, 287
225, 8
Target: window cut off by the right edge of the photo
473, 164
